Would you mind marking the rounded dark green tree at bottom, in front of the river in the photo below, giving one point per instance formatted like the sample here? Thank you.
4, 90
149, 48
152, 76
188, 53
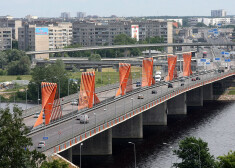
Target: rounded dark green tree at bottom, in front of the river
193, 153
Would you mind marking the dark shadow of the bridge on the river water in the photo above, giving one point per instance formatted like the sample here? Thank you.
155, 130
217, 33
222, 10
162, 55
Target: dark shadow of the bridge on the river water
150, 148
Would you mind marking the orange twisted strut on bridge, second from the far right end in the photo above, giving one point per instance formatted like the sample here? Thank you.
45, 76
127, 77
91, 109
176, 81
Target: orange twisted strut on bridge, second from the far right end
172, 71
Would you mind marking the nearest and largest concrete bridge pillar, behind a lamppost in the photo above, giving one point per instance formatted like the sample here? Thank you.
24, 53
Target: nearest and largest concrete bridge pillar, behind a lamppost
100, 144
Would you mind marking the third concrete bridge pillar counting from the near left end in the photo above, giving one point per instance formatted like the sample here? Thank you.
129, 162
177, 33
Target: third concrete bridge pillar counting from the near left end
156, 116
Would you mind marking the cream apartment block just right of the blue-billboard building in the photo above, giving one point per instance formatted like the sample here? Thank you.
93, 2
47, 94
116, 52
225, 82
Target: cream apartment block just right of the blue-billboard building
60, 35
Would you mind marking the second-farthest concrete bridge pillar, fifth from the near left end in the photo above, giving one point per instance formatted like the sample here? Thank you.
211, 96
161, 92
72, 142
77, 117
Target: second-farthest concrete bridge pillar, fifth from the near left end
195, 97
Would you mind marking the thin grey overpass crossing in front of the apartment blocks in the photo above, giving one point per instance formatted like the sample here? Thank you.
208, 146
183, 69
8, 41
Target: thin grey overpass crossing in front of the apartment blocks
129, 46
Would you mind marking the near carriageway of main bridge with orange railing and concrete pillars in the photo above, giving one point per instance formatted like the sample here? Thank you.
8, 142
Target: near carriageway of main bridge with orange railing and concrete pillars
123, 117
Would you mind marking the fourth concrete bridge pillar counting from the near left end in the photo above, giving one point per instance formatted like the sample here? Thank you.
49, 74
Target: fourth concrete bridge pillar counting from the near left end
177, 105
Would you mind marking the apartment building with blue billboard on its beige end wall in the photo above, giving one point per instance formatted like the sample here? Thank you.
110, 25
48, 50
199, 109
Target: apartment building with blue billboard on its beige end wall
33, 38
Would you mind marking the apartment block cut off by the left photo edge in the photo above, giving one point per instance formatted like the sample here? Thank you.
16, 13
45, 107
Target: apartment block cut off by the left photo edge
5, 38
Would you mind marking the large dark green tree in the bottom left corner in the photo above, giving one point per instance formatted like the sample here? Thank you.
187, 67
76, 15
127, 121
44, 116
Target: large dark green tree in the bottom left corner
14, 144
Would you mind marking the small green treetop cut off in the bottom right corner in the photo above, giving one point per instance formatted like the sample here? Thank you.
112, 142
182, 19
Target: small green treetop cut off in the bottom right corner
227, 161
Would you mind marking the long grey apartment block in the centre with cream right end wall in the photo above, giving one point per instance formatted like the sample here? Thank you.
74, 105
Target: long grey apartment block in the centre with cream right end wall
103, 33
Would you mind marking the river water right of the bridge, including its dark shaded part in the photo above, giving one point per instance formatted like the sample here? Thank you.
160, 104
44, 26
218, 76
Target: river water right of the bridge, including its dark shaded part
214, 123
